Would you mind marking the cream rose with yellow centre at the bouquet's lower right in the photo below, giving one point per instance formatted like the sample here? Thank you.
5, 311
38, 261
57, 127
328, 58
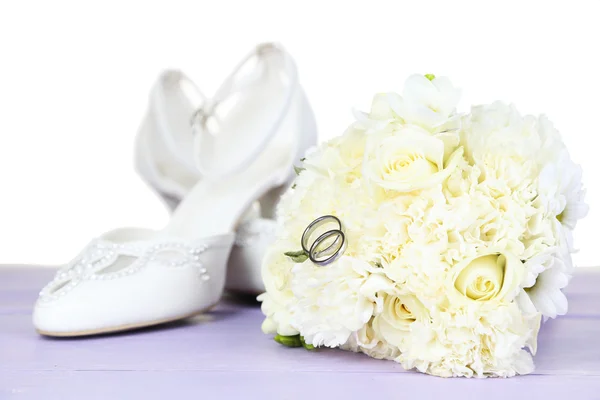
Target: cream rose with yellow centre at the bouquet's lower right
488, 278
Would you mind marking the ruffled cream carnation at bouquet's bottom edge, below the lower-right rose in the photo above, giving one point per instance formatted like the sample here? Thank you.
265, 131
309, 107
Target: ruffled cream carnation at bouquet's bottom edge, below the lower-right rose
472, 342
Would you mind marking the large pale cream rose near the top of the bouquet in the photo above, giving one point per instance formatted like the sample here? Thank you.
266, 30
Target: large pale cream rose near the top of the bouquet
409, 159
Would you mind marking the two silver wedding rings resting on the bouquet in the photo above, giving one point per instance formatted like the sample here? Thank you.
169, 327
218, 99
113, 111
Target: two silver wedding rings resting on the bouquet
328, 246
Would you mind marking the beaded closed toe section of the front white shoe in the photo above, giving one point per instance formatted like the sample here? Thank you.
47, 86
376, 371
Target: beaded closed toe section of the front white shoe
131, 278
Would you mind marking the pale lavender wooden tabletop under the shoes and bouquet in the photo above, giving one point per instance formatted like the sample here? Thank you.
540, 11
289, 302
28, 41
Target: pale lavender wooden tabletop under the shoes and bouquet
224, 355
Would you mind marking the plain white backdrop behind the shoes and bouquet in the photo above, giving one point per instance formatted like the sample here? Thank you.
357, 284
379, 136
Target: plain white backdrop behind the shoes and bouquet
74, 78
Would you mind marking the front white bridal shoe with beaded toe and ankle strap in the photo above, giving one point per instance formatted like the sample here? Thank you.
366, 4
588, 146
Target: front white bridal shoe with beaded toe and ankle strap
130, 278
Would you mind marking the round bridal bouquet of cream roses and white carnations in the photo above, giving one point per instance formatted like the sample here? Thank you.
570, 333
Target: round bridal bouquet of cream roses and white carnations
436, 239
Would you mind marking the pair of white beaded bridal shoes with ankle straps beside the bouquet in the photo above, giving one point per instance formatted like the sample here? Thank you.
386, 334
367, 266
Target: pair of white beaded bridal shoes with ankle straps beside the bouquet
245, 142
